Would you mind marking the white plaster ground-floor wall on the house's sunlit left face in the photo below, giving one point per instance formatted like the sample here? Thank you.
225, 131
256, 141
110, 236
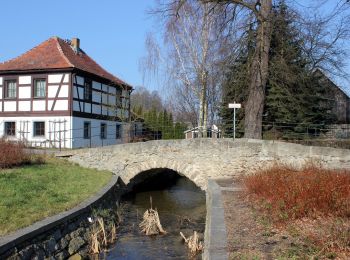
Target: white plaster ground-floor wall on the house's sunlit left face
26, 125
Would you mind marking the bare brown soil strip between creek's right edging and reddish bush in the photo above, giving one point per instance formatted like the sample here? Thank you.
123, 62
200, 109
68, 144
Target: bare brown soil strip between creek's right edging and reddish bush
251, 236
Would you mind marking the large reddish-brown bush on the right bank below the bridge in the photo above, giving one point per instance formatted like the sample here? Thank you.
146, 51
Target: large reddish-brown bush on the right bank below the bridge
286, 193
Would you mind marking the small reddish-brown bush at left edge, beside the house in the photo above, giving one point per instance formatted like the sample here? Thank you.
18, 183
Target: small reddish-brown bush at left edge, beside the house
12, 154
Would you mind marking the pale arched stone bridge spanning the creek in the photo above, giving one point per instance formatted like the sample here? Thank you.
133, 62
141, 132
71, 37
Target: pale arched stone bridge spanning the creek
203, 159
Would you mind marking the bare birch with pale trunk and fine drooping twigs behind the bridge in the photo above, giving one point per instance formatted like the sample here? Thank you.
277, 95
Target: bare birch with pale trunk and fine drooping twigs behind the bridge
193, 53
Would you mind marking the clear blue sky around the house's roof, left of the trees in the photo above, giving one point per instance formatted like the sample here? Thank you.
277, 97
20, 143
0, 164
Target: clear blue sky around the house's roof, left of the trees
111, 31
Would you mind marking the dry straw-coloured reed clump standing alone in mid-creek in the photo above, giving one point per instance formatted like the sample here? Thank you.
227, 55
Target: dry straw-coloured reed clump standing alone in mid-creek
150, 224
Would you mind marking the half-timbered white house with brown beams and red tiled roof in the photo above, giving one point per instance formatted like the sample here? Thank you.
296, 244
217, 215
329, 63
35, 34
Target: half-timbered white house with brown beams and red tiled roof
55, 95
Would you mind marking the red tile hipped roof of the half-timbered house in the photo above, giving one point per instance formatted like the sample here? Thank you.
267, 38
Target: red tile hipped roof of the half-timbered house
56, 53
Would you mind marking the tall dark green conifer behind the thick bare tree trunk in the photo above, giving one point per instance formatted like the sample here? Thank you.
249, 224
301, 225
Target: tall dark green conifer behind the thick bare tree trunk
294, 94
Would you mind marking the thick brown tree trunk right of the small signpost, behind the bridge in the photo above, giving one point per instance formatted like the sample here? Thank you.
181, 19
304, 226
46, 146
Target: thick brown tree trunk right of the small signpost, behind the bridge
259, 71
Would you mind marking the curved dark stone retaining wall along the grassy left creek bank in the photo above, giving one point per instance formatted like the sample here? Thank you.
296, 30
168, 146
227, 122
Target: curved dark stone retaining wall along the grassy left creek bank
62, 235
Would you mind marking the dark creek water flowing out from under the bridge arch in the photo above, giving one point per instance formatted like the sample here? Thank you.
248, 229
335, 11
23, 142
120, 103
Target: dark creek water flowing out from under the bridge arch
181, 207
